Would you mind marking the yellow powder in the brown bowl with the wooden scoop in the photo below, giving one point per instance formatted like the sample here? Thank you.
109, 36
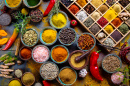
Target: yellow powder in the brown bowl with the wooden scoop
72, 59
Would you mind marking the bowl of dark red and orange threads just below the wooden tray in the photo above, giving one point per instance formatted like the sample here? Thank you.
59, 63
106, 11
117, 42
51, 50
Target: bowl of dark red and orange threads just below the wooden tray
92, 40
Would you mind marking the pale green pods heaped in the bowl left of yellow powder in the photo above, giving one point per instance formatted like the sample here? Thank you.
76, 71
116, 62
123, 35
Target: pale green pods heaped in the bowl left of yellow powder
30, 37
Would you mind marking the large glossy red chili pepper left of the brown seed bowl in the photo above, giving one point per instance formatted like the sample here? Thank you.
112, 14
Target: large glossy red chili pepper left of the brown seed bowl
94, 67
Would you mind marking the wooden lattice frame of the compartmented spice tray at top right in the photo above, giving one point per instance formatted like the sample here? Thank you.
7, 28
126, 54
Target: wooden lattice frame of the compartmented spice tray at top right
96, 9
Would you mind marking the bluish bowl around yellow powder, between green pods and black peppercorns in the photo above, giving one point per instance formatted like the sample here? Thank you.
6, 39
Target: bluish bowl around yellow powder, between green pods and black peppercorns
47, 44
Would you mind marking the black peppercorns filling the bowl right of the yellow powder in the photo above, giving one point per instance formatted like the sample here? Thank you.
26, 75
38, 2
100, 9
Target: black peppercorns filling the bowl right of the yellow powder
67, 36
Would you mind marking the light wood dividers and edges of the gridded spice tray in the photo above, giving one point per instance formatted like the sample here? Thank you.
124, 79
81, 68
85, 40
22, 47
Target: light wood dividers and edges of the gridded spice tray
95, 22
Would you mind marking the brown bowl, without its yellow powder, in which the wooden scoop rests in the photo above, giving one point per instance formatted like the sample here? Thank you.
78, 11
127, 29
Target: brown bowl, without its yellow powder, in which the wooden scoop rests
77, 68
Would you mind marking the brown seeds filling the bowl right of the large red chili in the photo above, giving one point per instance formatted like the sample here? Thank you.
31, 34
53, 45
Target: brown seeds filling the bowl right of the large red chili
111, 63
